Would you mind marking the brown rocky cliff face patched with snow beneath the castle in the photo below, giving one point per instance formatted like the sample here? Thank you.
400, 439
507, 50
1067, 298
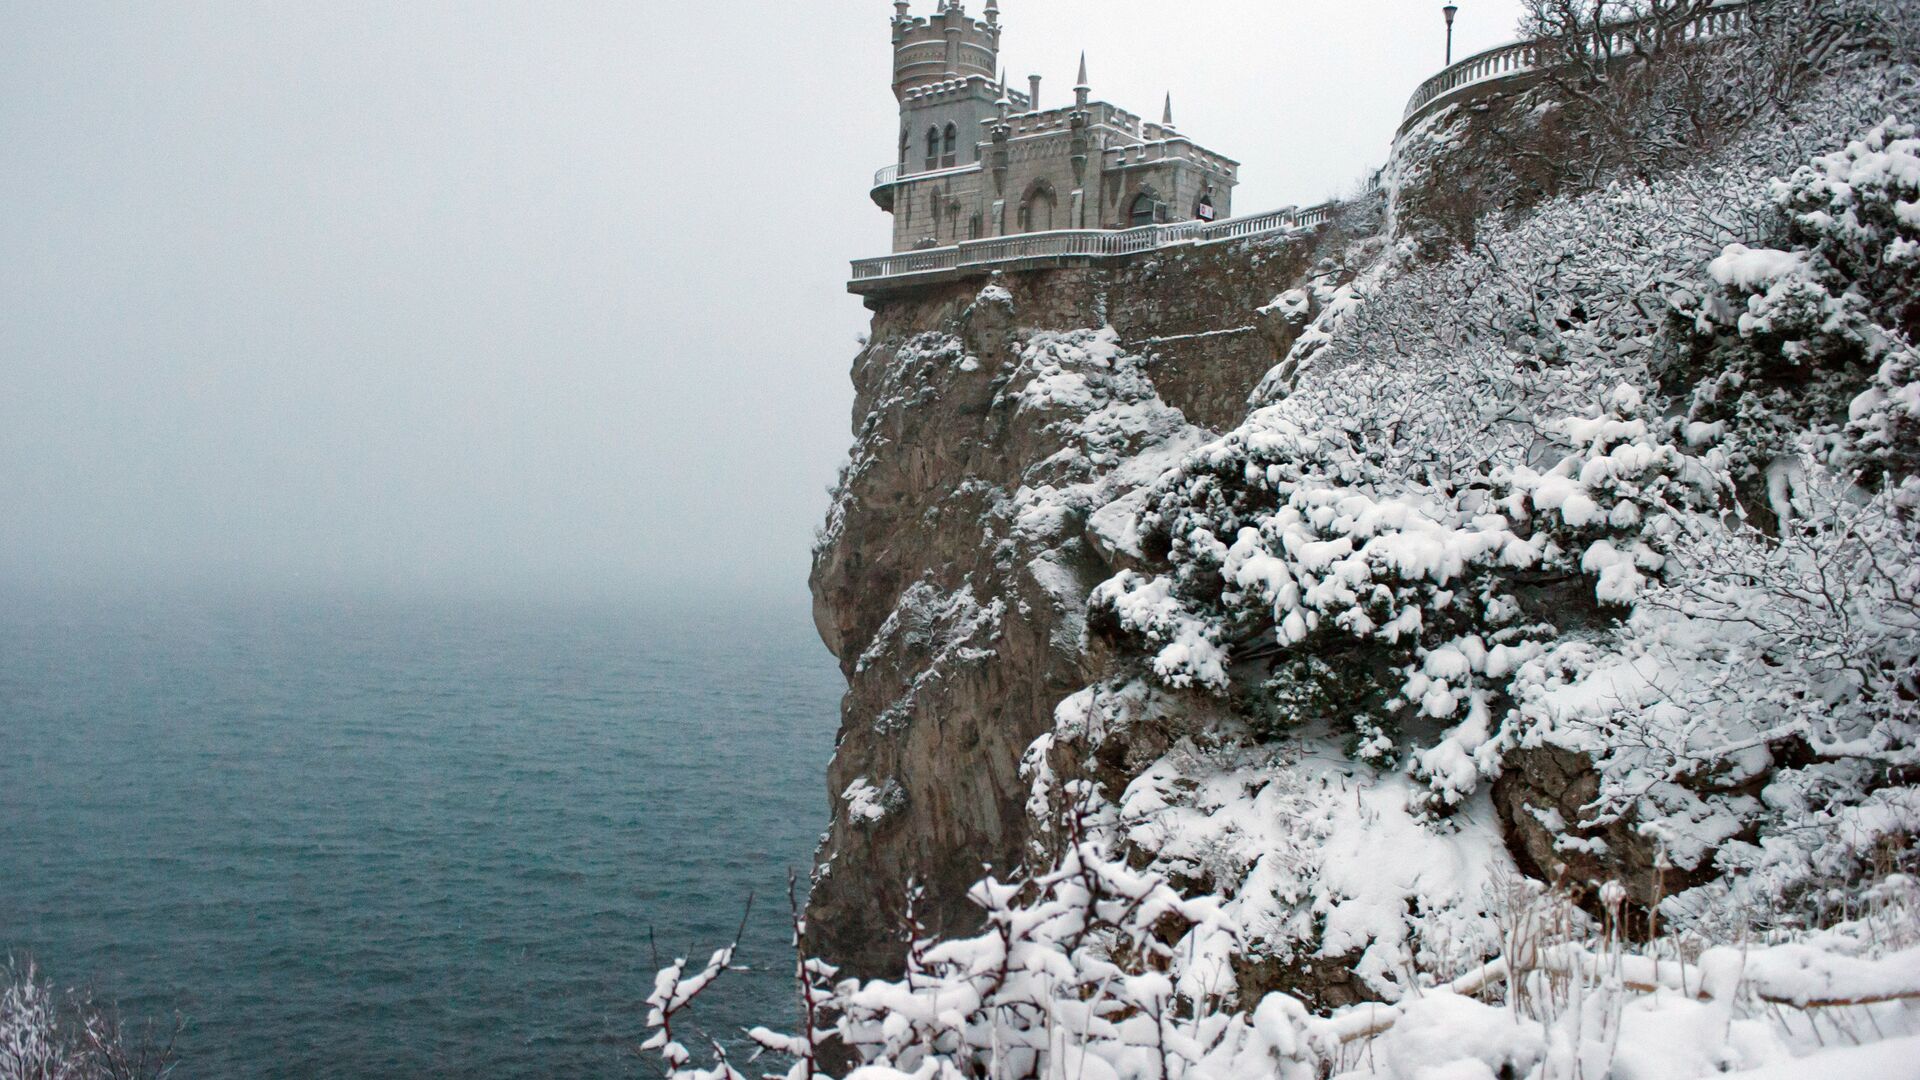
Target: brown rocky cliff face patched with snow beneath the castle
999, 433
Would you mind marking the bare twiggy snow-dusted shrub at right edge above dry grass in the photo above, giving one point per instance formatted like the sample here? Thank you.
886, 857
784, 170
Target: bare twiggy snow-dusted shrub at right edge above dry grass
1760, 716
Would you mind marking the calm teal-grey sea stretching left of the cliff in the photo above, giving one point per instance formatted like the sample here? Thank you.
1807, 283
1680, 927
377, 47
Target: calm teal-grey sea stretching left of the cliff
352, 839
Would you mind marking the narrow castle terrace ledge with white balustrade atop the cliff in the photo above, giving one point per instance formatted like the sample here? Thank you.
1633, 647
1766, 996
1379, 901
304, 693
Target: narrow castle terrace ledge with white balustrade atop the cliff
1065, 249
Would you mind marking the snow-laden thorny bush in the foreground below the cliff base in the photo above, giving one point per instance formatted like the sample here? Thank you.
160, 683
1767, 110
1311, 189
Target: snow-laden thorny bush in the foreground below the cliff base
1093, 970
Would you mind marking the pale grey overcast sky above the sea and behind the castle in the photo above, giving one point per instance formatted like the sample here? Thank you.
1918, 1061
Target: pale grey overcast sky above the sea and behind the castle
521, 299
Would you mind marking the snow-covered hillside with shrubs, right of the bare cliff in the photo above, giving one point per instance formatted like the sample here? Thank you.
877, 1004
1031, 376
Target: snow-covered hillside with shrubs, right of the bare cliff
1631, 483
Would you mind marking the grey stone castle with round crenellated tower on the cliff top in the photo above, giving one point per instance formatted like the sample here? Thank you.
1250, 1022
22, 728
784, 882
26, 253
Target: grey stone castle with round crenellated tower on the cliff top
982, 160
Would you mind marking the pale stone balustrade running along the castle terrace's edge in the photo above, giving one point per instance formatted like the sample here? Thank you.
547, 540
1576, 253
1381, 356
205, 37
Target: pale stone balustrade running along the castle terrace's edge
1088, 243
